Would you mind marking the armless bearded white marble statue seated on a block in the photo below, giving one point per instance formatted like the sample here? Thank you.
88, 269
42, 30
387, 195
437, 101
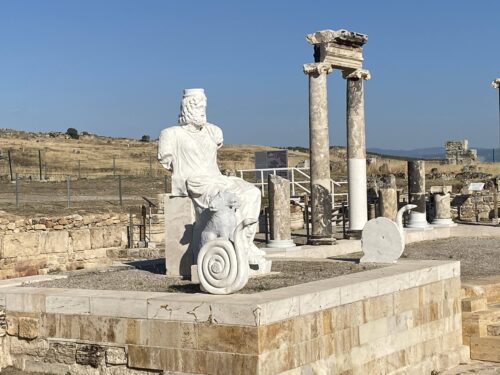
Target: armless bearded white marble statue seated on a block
189, 150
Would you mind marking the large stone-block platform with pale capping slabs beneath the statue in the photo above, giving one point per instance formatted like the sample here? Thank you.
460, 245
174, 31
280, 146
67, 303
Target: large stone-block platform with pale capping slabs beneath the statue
404, 318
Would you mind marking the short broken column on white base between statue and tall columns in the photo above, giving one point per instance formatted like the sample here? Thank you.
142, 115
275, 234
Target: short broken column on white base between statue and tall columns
279, 212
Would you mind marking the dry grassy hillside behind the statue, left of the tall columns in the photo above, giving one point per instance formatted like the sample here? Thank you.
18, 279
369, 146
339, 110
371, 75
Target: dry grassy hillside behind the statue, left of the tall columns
94, 156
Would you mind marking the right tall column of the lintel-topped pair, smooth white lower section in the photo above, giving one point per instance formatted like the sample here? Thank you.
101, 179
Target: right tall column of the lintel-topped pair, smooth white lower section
356, 148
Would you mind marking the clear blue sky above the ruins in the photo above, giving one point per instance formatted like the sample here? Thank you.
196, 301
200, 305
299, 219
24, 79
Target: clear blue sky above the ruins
118, 67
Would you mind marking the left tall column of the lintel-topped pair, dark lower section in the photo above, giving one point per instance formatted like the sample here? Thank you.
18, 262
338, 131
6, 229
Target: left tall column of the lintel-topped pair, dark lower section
319, 149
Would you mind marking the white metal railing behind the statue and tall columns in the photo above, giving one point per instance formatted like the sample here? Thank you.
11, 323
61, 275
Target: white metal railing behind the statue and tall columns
299, 182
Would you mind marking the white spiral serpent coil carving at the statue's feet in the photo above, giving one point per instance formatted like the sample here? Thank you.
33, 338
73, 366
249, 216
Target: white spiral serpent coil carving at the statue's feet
223, 267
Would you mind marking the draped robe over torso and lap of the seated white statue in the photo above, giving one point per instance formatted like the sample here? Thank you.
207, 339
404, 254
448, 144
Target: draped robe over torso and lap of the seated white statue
191, 154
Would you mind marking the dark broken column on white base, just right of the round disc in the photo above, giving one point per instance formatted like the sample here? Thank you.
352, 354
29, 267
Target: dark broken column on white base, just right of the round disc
416, 194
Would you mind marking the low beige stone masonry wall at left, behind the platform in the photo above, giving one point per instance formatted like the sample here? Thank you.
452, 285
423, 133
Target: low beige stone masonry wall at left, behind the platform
41, 246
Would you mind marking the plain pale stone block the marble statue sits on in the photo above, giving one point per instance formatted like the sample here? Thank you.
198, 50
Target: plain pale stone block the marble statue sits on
179, 222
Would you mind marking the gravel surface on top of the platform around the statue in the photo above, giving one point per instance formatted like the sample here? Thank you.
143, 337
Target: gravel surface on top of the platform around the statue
150, 276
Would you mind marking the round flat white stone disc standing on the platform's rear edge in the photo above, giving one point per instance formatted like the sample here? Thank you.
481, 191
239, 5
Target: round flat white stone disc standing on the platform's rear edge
381, 241
